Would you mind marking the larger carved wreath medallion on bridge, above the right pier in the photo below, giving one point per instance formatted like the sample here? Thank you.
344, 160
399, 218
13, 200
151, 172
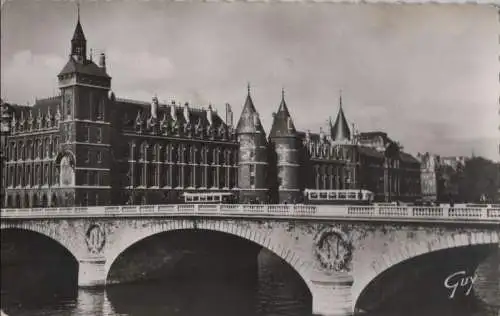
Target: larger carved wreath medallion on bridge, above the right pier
333, 250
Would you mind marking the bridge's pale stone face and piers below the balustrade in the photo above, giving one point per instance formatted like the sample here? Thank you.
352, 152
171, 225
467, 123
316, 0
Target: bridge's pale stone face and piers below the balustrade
336, 260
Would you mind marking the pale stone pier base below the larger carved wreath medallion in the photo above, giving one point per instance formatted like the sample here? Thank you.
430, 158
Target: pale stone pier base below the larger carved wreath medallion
331, 295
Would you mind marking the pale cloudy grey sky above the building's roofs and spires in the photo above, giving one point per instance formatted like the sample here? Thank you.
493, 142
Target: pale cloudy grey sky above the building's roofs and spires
425, 74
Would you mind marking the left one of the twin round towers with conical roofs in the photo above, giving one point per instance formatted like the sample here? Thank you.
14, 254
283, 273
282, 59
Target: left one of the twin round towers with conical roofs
252, 156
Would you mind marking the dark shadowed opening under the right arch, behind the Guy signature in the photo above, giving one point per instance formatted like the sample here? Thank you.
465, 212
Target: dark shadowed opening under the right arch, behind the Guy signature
418, 283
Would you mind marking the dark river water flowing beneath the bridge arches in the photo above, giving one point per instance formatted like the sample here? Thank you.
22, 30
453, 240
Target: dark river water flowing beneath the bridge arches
276, 291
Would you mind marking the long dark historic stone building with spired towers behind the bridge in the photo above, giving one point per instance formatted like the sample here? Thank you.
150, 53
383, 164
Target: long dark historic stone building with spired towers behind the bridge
88, 147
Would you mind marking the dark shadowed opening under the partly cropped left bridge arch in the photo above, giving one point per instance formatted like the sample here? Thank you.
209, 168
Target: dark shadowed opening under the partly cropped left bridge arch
36, 270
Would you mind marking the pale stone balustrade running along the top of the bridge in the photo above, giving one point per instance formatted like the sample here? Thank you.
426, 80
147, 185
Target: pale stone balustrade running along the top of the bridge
484, 214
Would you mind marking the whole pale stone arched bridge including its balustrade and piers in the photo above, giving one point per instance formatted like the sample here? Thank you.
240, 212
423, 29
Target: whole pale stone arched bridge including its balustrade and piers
338, 251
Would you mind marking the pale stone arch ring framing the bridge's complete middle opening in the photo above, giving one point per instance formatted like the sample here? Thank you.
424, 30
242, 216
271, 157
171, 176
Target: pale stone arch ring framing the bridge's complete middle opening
285, 253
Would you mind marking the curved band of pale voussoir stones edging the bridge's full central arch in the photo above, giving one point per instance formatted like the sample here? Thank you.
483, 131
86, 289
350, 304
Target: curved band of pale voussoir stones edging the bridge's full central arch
284, 253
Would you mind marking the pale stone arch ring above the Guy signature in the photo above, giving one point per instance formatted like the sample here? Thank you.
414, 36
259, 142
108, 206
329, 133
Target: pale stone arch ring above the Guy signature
416, 249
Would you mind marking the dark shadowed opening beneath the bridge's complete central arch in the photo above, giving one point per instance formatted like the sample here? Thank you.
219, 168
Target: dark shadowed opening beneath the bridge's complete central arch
177, 242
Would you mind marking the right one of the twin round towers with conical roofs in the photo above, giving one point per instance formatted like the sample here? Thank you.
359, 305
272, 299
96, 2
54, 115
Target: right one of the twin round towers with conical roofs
284, 141
